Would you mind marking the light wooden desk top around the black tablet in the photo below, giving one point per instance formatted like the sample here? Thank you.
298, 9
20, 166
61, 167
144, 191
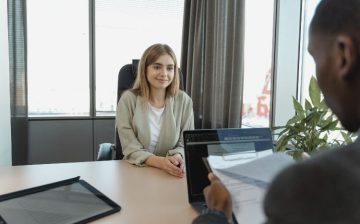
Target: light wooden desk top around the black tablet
146, 194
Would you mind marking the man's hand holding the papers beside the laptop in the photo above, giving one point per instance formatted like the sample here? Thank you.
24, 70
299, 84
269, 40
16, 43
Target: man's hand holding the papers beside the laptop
217, 196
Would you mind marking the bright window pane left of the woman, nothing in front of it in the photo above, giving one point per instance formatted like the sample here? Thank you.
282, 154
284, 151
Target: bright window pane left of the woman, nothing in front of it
58, 58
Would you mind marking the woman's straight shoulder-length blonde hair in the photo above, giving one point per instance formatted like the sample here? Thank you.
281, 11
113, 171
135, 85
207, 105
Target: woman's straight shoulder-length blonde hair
142, 86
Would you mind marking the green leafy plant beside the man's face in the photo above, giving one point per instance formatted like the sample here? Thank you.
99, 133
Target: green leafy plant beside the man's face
312, 128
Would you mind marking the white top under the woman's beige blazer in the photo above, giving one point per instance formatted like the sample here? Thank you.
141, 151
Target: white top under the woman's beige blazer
155, 120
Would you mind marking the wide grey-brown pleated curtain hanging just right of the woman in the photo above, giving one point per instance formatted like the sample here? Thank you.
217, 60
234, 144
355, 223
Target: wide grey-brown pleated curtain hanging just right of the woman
212, 60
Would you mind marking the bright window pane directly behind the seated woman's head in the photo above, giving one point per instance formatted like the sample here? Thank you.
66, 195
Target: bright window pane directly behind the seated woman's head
124, 29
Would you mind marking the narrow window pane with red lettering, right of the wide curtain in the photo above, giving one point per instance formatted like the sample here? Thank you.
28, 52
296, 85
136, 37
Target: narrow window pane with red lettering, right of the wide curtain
258, 58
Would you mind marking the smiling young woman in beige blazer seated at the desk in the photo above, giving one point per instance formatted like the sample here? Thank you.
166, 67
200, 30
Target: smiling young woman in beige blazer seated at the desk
153, 114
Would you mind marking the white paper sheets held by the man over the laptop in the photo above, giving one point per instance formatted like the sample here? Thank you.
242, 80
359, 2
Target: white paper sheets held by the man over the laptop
247, 180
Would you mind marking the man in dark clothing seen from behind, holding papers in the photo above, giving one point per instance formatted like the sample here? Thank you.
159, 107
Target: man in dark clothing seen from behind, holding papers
326, 187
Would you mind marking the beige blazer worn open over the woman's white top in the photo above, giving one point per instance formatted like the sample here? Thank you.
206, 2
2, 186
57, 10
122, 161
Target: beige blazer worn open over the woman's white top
134, 131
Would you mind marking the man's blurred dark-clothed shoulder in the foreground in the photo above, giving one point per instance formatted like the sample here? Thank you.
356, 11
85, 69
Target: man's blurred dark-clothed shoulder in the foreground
316, 187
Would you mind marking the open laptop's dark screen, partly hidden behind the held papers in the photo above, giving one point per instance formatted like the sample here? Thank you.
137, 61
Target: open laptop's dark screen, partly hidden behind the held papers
222, 142
